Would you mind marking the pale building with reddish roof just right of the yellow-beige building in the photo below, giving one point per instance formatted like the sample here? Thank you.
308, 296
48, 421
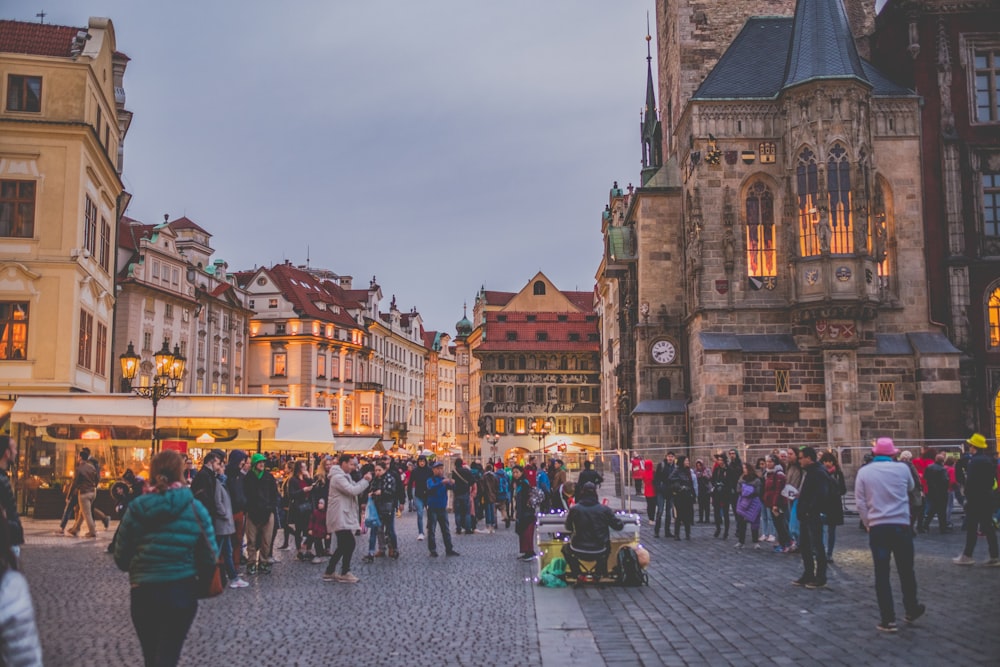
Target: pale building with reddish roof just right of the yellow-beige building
171, 290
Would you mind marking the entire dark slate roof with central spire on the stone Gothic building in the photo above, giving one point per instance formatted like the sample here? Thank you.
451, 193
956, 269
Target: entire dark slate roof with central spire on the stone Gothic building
772, 53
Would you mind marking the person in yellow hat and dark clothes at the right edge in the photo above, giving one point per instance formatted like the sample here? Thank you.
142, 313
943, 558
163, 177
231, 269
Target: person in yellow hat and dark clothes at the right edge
980, 480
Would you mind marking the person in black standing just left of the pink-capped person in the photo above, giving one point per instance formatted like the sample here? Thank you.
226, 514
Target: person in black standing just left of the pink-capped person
810, 506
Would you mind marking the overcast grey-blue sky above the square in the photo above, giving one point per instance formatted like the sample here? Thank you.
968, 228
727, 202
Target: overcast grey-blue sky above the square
439, 145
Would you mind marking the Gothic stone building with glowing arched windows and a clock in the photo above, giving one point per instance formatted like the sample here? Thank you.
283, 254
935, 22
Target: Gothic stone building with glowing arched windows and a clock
767, 277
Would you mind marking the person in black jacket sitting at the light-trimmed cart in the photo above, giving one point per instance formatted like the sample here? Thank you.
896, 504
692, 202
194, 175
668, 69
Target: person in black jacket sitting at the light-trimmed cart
590, 522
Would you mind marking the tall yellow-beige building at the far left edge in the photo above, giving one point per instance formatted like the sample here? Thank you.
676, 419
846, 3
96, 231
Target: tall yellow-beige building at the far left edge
62, 123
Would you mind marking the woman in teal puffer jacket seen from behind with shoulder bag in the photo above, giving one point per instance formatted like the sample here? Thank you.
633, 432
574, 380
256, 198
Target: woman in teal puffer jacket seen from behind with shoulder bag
156, 544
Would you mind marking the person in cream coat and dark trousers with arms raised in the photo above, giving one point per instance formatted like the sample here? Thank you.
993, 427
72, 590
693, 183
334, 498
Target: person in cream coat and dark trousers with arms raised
342, 517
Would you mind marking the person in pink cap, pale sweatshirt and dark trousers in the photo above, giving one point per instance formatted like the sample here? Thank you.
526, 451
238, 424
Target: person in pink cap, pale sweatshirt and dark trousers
882, 494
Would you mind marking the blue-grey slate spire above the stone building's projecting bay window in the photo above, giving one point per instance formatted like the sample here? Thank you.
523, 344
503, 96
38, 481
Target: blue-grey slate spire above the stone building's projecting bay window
822, 45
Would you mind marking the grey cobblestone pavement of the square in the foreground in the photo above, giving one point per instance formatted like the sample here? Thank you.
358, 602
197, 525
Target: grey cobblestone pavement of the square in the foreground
707, 604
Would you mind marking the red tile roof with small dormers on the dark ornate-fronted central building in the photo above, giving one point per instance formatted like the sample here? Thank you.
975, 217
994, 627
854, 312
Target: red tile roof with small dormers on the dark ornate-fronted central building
557, 333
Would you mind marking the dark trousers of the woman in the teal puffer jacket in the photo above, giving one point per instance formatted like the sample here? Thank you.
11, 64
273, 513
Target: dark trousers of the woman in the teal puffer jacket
162, 614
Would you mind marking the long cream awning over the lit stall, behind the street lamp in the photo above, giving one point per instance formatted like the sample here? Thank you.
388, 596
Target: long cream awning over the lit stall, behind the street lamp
193, 412
